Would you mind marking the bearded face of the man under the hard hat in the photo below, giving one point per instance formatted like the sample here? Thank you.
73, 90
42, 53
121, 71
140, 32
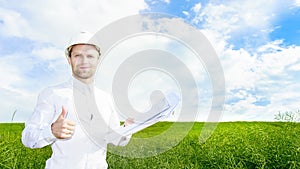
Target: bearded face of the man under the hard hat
84, 60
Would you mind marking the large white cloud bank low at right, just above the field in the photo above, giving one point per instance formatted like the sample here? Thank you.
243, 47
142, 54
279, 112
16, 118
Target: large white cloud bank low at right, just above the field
261, 75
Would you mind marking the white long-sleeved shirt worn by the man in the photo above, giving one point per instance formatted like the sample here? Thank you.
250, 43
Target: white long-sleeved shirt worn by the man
82, 150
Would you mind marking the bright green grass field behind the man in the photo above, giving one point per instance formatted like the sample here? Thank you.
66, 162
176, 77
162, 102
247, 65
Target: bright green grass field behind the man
232, 145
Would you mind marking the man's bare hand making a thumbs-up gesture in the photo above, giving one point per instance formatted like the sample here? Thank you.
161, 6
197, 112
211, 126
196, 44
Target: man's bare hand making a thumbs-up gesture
63, 128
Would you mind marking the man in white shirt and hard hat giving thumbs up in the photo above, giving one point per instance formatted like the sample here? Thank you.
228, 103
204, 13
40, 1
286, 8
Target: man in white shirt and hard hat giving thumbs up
75, 117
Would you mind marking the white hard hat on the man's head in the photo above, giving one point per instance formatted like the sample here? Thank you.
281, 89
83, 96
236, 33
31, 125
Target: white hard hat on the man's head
82, 37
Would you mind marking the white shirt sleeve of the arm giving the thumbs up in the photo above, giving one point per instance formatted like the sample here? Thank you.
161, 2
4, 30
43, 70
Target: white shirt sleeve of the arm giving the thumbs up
37, 132
